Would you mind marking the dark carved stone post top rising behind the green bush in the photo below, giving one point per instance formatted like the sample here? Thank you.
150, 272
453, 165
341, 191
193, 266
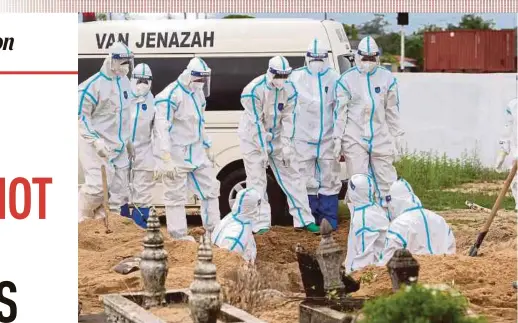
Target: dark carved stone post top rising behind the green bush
403, 269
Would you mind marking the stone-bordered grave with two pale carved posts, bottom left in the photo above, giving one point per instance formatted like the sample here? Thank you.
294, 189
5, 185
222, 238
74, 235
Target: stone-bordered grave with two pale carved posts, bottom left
201, 303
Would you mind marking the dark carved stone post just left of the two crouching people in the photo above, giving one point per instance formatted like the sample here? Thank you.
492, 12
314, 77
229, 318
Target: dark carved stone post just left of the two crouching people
329, 256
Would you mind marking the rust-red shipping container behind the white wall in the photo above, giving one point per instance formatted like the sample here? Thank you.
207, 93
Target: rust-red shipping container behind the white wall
470, 51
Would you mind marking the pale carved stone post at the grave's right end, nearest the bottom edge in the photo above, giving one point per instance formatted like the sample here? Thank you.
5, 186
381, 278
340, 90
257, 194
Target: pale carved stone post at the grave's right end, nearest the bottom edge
205, 300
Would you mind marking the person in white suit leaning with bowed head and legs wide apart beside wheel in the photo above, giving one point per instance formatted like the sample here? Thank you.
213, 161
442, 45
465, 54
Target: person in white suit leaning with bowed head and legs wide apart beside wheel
265, 134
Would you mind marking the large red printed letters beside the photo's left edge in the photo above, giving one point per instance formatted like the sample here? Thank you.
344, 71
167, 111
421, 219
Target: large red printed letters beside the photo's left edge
27, 197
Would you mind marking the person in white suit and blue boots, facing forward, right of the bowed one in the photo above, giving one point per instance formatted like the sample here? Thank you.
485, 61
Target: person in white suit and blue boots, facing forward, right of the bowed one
313, 133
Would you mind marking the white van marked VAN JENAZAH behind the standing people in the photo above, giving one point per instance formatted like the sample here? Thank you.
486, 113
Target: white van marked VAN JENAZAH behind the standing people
237, 51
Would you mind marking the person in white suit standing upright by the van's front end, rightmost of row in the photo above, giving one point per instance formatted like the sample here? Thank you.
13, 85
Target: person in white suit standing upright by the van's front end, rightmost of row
367, 119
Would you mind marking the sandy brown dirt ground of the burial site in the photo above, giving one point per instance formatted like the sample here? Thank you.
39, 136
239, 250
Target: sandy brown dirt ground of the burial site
486, 280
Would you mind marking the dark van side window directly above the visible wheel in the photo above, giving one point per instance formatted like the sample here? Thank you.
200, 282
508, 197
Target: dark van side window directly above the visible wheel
230, 75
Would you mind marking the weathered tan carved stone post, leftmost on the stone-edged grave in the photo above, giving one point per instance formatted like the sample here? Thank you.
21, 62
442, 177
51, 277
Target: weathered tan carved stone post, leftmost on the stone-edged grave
153, 263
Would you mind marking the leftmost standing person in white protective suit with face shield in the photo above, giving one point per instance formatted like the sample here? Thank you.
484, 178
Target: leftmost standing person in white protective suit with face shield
104, 134
